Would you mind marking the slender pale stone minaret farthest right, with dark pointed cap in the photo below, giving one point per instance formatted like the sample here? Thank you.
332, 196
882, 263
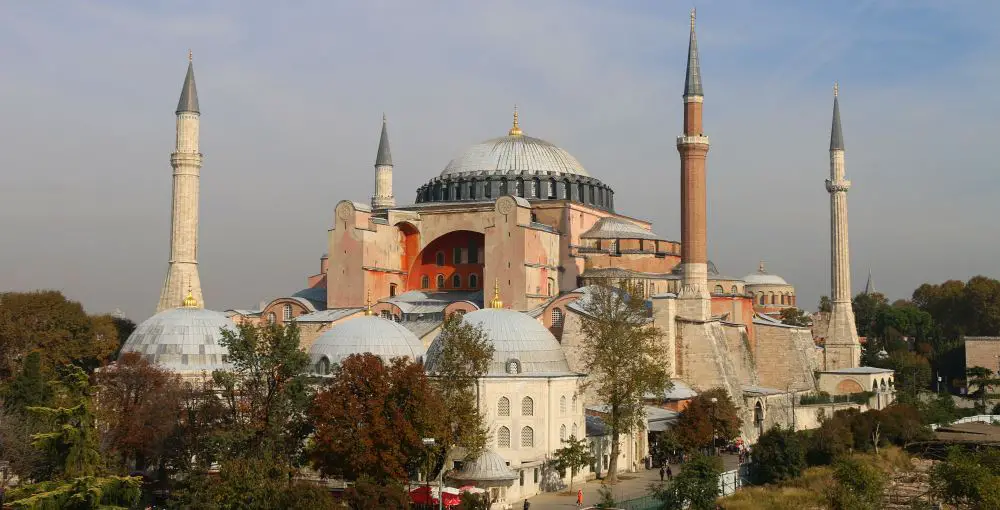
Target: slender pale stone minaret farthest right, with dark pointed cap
842, 347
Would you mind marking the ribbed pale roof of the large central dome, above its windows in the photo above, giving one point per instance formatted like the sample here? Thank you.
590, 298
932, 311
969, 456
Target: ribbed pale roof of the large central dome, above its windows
518, 153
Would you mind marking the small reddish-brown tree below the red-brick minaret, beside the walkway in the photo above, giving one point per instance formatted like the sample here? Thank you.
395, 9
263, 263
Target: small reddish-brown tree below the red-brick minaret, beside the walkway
703, 422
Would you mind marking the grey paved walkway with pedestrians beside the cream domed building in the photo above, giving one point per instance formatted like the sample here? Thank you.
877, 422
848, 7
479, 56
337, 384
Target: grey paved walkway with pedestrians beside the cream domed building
629, 486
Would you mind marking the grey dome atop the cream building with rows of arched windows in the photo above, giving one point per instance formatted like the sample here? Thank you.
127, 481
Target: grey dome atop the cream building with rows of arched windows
522, 345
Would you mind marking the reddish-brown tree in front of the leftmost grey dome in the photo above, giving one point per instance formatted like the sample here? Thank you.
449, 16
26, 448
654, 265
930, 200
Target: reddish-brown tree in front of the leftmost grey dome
138, 406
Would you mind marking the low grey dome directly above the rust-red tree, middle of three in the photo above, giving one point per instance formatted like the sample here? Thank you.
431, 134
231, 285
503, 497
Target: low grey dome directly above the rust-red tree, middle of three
368, 334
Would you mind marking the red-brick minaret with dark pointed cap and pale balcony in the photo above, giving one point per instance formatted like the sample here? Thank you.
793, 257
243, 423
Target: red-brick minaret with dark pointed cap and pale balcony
695, 301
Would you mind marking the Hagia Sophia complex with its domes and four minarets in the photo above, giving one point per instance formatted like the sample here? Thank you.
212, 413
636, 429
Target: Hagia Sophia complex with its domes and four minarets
512, 234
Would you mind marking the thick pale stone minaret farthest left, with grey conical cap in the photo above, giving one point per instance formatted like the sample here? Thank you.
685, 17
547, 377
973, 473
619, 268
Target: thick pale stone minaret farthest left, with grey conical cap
182, 273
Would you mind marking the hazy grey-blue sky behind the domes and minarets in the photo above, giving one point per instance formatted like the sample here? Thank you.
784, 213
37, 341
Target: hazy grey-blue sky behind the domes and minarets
292, 97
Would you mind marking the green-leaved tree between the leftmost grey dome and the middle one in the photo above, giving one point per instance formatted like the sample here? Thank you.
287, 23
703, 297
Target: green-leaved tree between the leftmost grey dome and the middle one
265, 394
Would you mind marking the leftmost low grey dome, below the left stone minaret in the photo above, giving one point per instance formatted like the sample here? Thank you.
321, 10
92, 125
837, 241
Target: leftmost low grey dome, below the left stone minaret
183, 340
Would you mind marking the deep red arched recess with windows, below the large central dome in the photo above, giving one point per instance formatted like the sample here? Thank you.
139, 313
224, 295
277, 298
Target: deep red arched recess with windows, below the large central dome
470, 244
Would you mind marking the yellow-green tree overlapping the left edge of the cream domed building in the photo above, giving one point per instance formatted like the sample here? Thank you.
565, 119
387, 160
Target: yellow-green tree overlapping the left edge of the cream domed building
463, 355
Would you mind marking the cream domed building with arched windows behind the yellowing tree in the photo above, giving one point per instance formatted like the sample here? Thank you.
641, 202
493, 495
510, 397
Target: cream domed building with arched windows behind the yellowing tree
530, 398
